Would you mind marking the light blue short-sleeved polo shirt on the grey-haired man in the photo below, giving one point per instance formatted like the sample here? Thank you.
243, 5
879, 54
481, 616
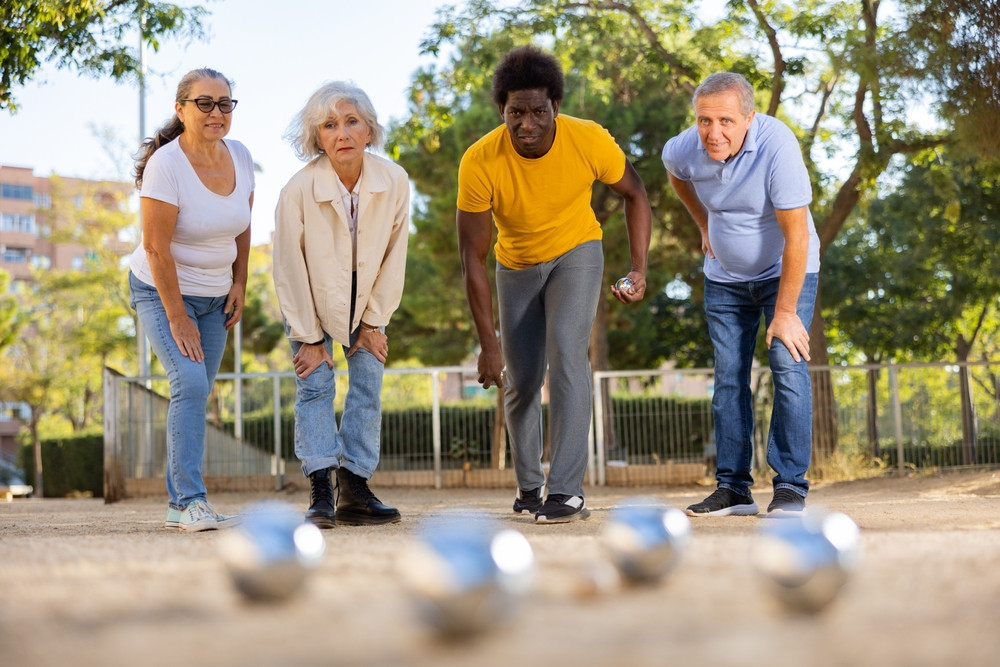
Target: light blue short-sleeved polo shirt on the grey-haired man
741, 196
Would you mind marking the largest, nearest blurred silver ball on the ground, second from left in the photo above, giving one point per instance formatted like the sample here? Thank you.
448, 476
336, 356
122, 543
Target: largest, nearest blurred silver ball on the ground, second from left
466, 573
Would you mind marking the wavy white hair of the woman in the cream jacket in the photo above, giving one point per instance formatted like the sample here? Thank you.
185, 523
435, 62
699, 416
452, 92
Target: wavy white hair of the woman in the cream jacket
303, 131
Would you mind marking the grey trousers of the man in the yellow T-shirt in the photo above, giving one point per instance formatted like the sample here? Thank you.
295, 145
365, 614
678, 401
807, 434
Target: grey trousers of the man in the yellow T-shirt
546, 314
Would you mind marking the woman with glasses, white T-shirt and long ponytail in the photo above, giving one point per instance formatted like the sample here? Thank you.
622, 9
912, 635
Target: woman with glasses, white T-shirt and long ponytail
188, 276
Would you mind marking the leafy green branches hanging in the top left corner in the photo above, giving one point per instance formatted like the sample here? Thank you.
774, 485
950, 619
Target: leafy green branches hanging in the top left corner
86, 35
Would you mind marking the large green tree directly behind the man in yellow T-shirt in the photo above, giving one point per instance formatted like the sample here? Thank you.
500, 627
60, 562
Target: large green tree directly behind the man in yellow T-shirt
610, 79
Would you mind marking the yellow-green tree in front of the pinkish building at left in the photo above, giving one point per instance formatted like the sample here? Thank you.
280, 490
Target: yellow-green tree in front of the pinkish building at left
72, 323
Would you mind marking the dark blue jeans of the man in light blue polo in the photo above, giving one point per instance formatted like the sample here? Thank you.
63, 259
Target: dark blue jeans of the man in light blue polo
734, 311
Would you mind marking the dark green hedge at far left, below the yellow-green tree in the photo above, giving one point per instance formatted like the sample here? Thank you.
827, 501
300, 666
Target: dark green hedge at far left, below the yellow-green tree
69, 466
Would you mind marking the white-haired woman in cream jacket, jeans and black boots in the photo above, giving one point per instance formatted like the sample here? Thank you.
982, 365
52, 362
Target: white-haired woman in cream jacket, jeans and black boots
341, 228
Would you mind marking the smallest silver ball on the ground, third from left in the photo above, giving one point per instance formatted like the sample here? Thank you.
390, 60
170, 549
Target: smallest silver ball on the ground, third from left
645, 539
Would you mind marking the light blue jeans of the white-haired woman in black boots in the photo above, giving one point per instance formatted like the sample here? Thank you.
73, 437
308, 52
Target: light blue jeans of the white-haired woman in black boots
355, 445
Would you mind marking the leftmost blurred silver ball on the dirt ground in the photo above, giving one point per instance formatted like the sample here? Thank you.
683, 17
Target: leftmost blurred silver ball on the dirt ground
271, 553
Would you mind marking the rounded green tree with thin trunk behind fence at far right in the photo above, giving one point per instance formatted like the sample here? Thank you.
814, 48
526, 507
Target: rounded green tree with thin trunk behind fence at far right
917, 277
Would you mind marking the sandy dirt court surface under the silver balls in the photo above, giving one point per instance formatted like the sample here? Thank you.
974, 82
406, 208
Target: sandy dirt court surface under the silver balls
84, 583
